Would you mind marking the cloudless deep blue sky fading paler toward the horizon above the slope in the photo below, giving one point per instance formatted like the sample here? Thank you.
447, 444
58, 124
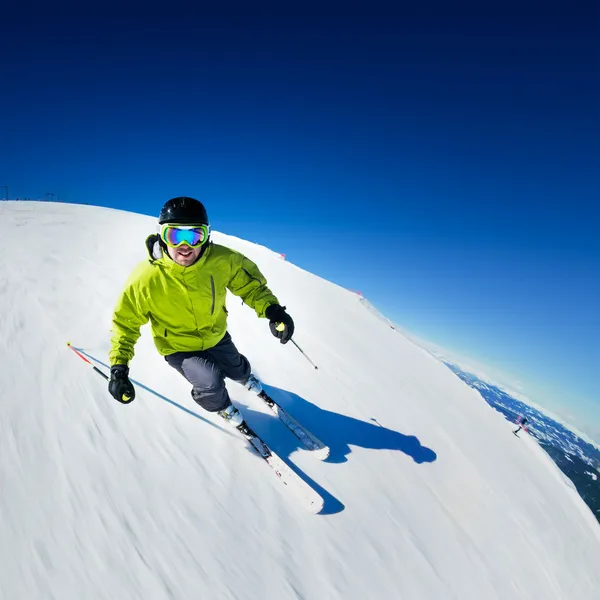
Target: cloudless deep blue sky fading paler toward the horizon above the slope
445, 165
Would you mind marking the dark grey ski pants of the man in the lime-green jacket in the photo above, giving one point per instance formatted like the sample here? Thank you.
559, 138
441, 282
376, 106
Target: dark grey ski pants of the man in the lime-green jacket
206, 371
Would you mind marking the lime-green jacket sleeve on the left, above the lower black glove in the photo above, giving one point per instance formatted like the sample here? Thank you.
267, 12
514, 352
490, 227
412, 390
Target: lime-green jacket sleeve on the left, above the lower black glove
129, 315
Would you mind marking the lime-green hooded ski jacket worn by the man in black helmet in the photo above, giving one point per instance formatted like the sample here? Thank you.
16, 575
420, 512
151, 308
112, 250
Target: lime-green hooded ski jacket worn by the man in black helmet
185, 305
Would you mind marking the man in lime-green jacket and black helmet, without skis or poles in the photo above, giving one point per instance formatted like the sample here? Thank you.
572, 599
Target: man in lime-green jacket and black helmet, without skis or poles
181, 290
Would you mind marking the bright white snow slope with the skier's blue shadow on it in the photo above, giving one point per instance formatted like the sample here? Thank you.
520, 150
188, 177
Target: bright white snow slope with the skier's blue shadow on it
428, 495
